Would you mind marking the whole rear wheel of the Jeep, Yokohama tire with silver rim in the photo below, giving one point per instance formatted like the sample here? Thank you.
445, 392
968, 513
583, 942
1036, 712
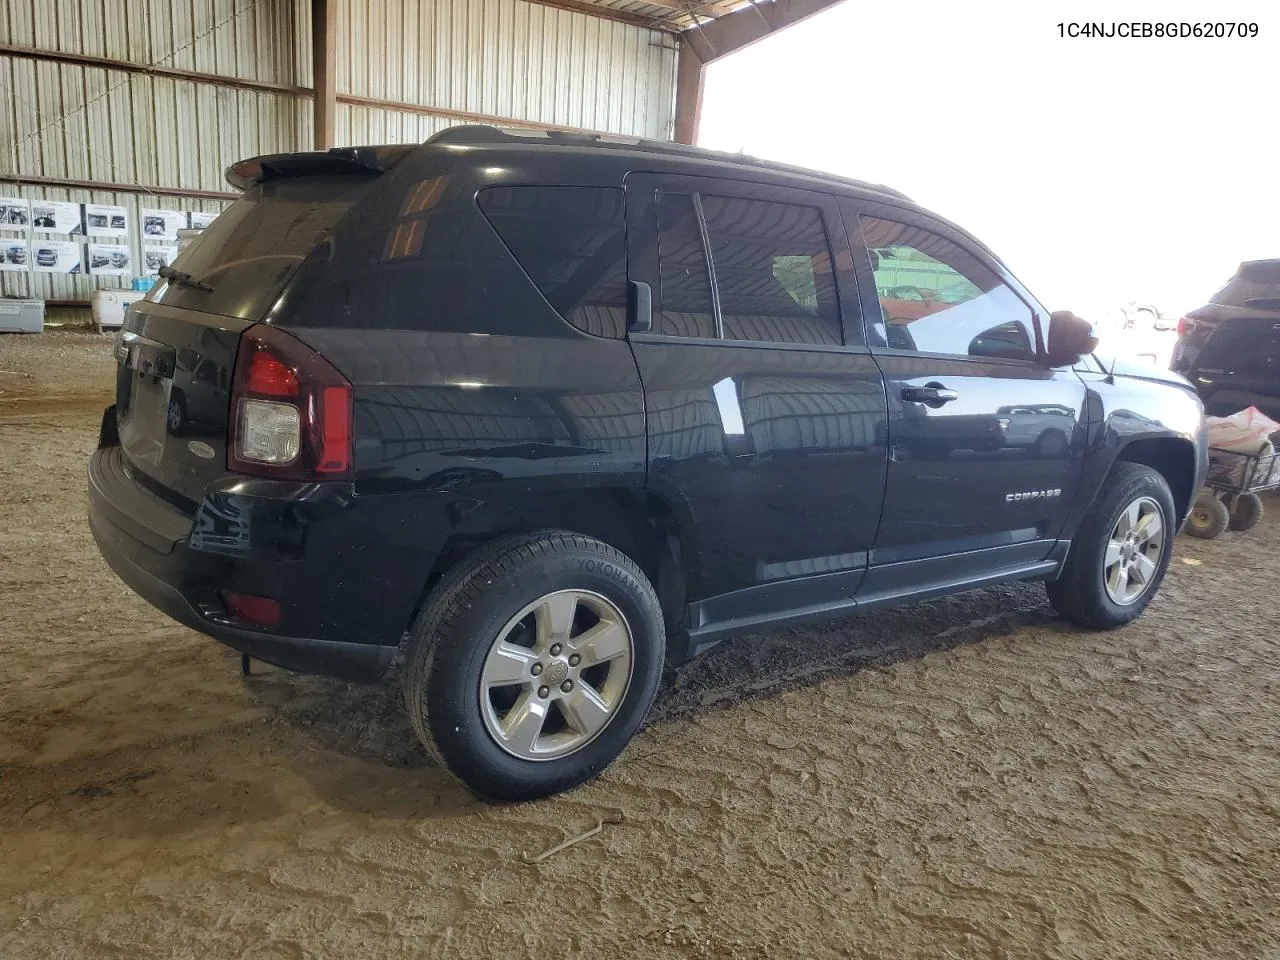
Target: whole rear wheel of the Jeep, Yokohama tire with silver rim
534, 664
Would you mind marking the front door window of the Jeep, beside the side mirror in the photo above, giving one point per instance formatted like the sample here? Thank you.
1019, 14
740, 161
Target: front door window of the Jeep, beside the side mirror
938, 298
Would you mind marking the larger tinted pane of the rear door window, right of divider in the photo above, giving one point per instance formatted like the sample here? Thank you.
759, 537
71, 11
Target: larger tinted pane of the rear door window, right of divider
774, 272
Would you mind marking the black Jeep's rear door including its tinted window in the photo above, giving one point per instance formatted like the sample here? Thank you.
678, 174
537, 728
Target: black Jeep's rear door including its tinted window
761, 397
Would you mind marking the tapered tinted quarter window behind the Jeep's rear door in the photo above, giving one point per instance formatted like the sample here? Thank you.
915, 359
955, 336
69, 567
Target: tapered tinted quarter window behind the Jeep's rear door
572, 241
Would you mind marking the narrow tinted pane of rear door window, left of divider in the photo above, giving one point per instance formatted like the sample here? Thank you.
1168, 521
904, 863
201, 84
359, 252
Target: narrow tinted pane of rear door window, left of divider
685, 292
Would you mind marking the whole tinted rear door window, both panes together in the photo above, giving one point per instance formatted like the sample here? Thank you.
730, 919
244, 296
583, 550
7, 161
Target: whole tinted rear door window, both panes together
771, 267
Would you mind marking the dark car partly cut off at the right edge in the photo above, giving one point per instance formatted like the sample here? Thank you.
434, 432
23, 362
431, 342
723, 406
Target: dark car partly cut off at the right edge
1231, 348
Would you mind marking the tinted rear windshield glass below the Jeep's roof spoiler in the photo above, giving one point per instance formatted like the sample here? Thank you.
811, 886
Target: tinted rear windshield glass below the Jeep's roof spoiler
254, 248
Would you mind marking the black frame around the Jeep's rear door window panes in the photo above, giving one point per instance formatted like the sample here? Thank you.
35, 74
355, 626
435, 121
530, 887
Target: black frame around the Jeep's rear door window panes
642, 191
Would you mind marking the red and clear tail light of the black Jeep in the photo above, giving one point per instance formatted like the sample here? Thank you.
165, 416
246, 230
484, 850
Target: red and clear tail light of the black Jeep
290, 410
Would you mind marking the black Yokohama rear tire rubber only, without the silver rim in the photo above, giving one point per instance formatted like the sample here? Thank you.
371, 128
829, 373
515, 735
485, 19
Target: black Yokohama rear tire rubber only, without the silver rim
467, 614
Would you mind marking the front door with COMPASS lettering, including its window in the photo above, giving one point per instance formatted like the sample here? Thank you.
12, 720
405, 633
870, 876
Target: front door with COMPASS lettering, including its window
985, 441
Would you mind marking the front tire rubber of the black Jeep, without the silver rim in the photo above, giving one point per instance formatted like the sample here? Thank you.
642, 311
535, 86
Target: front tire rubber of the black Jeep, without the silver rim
1080, 595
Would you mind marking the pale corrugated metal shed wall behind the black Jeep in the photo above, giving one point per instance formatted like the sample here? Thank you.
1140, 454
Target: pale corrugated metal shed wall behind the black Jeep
505, 58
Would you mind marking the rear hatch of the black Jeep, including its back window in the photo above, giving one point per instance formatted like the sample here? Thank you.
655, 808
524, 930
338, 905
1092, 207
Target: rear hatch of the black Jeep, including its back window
177, 351
